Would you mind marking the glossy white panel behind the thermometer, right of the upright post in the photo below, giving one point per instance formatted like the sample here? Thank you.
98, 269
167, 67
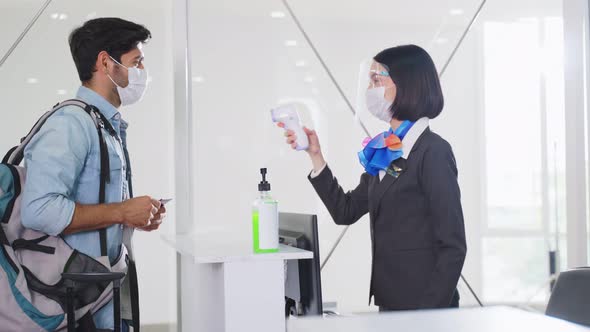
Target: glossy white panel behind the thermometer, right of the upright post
249, 57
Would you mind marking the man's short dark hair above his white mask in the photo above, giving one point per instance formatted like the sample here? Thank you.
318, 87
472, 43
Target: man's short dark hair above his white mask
113, 35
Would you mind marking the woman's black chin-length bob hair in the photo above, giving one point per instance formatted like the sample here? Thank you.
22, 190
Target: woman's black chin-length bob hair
418, 87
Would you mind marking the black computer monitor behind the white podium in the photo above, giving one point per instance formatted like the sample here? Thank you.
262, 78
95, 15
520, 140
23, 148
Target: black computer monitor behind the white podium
303, 286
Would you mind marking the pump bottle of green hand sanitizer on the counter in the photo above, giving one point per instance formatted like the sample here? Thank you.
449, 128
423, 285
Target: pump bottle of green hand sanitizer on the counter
265, 219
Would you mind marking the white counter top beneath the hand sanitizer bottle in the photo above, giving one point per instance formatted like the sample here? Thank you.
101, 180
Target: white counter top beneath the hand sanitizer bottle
221, 248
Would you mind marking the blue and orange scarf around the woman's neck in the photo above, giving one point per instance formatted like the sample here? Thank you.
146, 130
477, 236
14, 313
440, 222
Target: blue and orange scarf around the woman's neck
383, 149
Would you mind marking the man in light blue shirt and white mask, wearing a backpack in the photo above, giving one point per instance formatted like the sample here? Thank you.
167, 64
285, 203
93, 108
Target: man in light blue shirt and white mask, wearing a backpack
63, 159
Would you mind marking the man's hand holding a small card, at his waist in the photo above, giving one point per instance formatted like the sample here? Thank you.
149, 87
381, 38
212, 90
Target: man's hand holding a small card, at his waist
139, 212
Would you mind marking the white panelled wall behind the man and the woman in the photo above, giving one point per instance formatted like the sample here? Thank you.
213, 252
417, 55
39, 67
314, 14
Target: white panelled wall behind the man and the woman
242, 68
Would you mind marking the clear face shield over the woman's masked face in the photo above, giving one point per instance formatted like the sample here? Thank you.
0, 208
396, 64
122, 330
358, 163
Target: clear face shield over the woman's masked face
374, 91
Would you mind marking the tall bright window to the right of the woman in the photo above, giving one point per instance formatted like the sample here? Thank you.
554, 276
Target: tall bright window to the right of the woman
524, 138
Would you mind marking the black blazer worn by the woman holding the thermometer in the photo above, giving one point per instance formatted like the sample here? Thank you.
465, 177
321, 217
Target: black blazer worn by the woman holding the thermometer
417, 230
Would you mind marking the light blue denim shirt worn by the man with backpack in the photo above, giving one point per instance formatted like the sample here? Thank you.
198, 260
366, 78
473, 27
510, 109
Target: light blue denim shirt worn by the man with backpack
63, 168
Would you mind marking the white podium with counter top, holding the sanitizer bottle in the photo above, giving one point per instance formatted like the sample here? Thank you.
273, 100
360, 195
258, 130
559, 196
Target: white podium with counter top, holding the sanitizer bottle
225, 287
